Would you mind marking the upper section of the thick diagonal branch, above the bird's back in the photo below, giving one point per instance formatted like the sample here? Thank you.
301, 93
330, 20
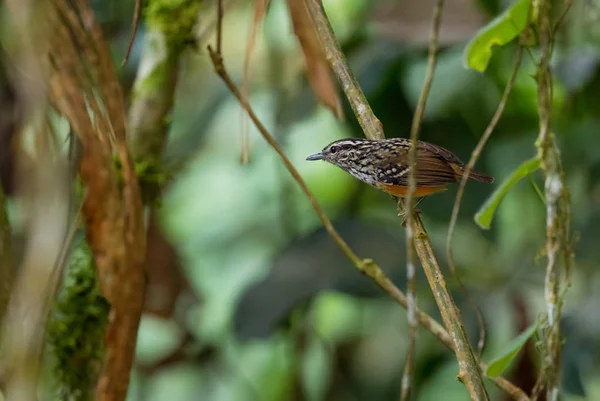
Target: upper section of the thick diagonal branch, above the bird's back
369, 123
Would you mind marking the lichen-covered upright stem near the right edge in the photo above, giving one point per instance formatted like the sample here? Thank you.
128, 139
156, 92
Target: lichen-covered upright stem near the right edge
557, 207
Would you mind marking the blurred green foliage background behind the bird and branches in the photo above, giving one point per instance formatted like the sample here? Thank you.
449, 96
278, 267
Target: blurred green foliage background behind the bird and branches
267, 307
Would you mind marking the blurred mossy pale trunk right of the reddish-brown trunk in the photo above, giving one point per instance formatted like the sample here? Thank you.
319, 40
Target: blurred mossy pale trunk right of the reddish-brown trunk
152, 101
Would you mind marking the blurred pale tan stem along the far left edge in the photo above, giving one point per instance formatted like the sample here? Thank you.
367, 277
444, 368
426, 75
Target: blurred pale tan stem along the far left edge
45, 190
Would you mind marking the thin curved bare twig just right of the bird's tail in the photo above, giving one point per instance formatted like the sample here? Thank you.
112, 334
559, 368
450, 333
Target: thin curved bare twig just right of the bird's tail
461, 188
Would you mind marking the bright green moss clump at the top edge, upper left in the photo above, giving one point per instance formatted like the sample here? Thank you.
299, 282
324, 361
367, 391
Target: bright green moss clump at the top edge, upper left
175, 18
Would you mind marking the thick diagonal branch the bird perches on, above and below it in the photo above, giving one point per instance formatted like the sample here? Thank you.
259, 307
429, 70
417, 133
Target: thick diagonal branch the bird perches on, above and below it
469, 372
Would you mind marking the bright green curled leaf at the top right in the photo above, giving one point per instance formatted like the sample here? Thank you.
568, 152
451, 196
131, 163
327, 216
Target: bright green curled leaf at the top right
500, 31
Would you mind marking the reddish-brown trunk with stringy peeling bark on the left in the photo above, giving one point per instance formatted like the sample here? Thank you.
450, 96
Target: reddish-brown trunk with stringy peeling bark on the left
82, 69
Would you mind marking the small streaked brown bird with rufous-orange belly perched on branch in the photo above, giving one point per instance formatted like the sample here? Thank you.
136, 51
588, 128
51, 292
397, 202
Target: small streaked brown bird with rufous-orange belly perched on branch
384, 164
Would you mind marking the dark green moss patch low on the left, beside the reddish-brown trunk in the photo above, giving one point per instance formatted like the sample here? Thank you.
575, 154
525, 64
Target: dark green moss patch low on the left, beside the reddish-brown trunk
76, 328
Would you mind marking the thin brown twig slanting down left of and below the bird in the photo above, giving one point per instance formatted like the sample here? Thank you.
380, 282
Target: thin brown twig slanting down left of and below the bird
366, 266
